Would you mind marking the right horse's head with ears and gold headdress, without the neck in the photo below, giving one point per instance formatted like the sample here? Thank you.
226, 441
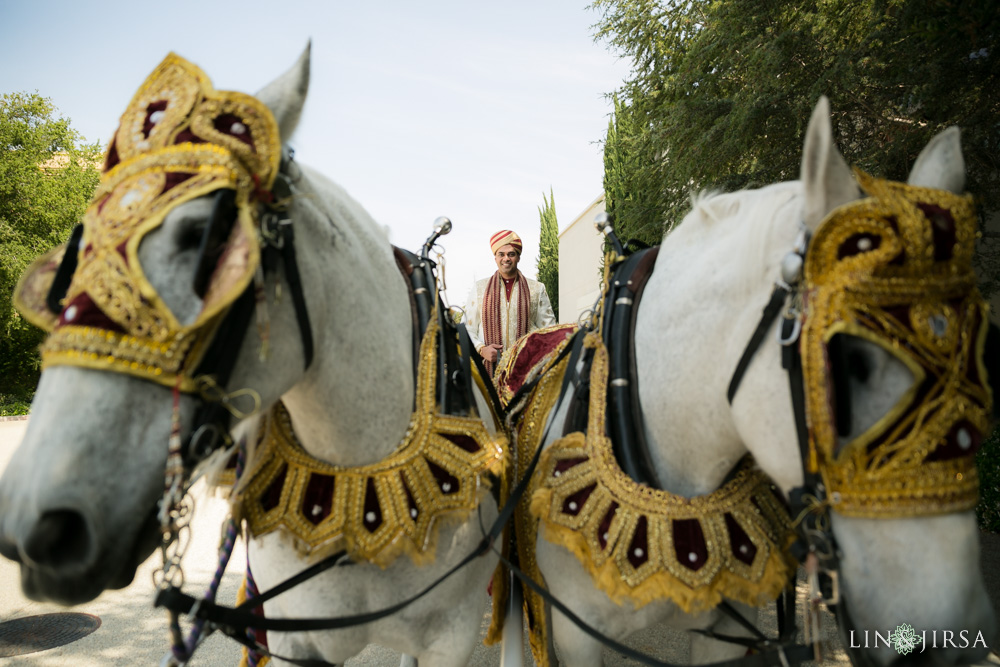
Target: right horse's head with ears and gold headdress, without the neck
897, 396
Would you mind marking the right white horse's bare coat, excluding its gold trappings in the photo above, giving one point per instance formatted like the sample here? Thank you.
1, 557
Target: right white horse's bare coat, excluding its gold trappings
699, 309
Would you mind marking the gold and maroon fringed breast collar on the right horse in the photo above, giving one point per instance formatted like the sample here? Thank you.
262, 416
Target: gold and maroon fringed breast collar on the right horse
623, 532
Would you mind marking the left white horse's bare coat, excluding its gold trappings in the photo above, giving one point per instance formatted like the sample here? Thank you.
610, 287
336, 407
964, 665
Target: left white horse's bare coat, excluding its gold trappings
78, 502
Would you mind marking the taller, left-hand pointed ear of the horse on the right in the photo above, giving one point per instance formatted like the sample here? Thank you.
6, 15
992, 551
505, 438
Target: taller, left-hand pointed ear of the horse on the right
827, 179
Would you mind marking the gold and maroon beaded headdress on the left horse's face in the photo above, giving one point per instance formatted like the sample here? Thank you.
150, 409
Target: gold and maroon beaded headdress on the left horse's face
178, 139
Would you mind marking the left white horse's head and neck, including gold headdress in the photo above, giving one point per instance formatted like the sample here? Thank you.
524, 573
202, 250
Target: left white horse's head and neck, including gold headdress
173, 285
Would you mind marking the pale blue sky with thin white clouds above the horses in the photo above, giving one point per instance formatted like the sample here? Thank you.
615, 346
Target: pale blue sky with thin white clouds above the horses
469, 109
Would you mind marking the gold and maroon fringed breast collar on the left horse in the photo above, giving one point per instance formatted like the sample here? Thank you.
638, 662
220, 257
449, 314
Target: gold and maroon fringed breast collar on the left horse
379, 511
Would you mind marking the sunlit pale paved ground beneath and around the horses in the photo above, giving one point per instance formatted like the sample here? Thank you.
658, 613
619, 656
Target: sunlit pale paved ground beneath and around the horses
132, 632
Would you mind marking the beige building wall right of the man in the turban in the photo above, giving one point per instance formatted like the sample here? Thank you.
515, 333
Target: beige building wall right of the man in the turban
581, 249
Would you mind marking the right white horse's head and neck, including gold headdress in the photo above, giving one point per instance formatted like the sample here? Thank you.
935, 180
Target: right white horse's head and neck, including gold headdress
876, 304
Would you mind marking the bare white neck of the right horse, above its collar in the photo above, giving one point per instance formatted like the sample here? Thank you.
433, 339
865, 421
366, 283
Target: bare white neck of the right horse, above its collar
701, 305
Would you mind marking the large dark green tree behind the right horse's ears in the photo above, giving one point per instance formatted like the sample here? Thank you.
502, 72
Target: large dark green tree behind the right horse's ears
726, 87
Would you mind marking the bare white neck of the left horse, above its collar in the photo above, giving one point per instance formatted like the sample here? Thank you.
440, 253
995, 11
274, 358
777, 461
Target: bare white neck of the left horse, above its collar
354, 403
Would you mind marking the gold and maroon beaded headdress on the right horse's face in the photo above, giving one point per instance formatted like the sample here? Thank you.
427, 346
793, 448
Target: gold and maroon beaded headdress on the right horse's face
895, 268
